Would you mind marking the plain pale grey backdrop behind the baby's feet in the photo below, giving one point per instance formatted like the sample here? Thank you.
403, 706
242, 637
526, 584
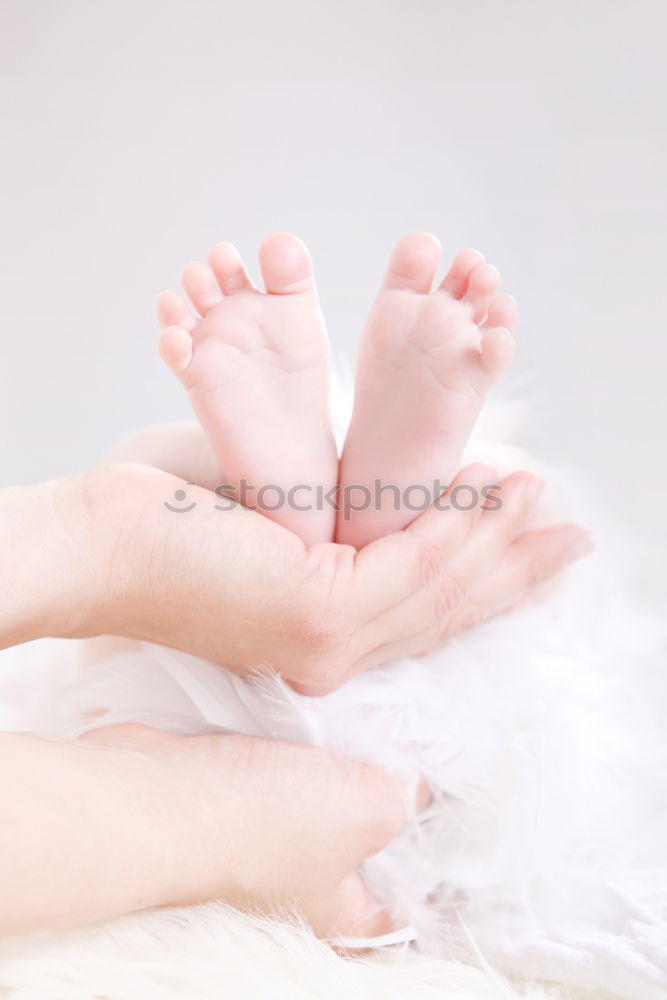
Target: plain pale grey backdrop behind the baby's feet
135, 135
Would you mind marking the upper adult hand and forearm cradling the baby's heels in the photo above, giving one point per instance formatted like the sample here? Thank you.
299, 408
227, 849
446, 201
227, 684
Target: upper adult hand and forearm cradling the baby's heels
115, 551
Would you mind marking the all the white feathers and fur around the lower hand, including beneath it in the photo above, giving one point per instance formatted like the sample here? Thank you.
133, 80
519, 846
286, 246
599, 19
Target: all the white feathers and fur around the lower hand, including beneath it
544, 856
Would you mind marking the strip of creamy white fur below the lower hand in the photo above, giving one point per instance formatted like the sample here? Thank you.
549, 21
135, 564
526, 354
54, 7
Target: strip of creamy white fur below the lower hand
212, 952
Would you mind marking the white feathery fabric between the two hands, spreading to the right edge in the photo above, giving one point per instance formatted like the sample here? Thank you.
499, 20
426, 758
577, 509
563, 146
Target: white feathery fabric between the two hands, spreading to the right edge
544, 734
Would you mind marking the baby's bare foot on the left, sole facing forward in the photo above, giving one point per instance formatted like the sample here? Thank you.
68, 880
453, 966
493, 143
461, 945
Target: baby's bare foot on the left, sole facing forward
256, 368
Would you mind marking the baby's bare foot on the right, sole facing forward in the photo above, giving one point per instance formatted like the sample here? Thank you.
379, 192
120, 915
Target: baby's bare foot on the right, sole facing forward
426, 362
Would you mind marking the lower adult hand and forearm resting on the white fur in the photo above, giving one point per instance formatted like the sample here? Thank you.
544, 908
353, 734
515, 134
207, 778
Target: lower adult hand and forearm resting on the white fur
154, 819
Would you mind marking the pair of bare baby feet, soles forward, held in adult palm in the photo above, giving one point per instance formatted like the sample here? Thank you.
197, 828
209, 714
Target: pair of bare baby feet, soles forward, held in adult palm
256, 368
